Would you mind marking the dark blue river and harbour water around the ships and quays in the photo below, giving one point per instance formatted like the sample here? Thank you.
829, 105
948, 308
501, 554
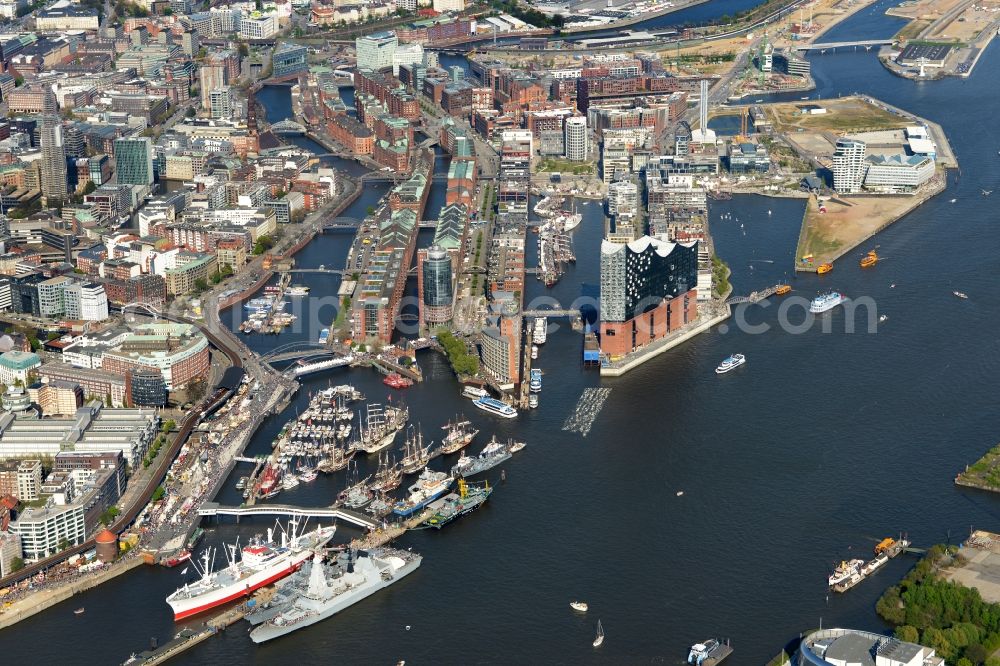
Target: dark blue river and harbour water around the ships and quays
816, 449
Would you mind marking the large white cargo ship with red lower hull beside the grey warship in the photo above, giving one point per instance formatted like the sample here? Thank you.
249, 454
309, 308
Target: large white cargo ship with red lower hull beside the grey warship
258, 564
